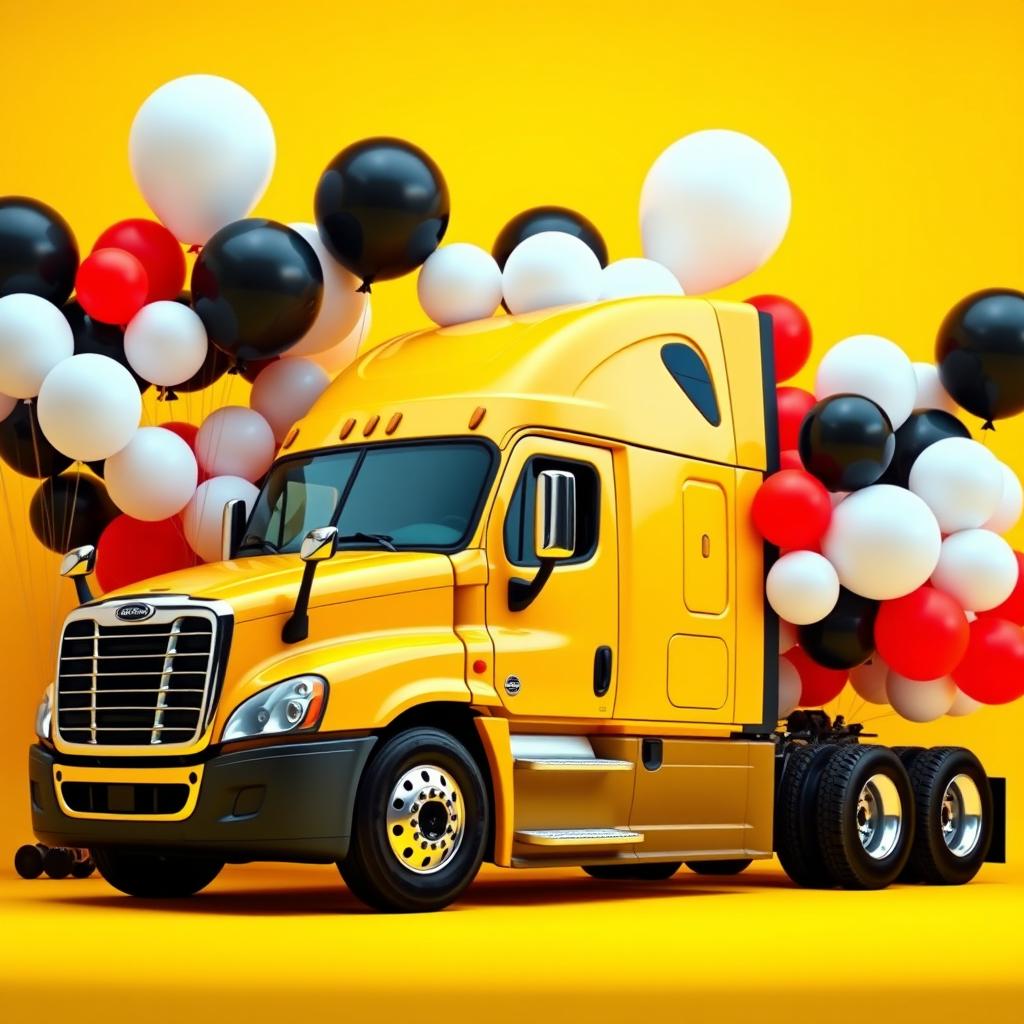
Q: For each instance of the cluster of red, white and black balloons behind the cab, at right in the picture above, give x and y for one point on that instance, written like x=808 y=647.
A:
x=893 y=572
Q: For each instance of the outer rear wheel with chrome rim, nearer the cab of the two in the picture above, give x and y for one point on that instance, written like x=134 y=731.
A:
x=869 y=859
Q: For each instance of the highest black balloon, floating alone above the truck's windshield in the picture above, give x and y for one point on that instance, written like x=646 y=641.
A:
x=382 y=208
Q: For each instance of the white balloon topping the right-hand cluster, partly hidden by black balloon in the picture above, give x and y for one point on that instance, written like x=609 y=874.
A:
x=874 y=367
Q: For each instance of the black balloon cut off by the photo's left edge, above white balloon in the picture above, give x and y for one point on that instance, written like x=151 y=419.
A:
x=38 y=251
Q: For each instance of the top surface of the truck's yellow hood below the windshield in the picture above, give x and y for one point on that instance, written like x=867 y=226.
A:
x=268 y=585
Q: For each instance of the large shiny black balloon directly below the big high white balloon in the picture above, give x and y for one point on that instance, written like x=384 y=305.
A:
x=258 y=286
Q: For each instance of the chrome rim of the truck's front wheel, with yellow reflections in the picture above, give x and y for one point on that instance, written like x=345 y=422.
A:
x=425 y=821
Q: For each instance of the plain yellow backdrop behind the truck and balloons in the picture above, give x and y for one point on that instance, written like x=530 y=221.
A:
x=899 y=124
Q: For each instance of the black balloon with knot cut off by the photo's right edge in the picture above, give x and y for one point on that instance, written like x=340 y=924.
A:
x=980 y=353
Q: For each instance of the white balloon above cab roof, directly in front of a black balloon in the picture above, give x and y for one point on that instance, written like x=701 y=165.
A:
x=550 y=269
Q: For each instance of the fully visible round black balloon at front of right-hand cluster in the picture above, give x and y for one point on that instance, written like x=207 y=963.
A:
x=847 y=442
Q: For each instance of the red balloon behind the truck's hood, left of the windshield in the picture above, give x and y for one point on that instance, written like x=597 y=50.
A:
x=131 y=550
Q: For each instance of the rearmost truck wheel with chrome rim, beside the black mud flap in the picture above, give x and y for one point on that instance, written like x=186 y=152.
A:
x=932 y=860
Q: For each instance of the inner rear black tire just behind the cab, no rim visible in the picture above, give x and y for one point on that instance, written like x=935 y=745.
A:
x=797 y=817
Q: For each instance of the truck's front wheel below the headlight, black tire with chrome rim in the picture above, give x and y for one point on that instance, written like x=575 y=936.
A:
x=404 y=879
